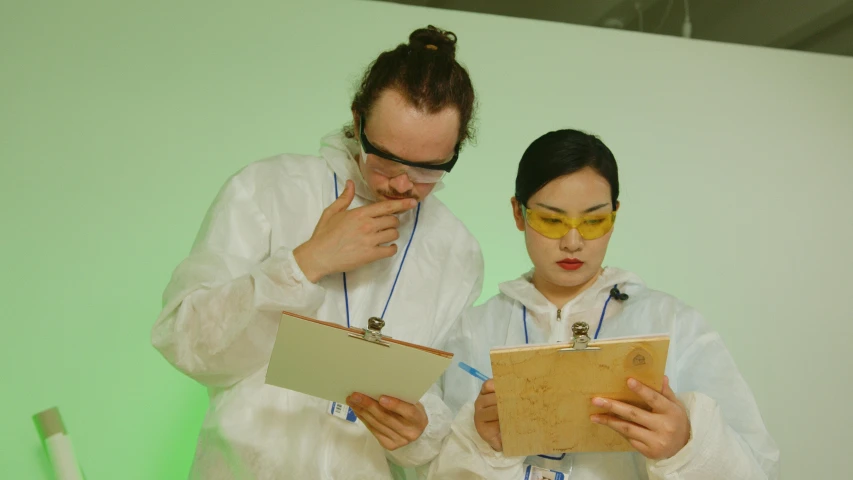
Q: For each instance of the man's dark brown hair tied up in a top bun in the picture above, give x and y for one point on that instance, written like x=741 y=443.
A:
x=426 y=73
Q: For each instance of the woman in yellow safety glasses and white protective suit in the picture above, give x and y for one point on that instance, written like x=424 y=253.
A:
x=703 y=424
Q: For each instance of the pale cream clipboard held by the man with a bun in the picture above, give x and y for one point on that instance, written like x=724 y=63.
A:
x=331 y=362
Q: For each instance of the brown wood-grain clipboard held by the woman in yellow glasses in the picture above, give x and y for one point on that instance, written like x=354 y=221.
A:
x=545 y=392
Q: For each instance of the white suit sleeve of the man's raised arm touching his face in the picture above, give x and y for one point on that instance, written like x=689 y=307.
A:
x=224 y=301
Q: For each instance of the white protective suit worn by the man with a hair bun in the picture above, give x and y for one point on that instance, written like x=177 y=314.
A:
x=222 y=308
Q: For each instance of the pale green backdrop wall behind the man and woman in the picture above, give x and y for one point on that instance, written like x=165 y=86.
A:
x=120 y=121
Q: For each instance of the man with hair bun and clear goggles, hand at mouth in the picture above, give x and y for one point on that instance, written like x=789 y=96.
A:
x=347 y=235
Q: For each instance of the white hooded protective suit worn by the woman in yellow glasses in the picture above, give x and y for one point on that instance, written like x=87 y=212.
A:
x=728 y=439
